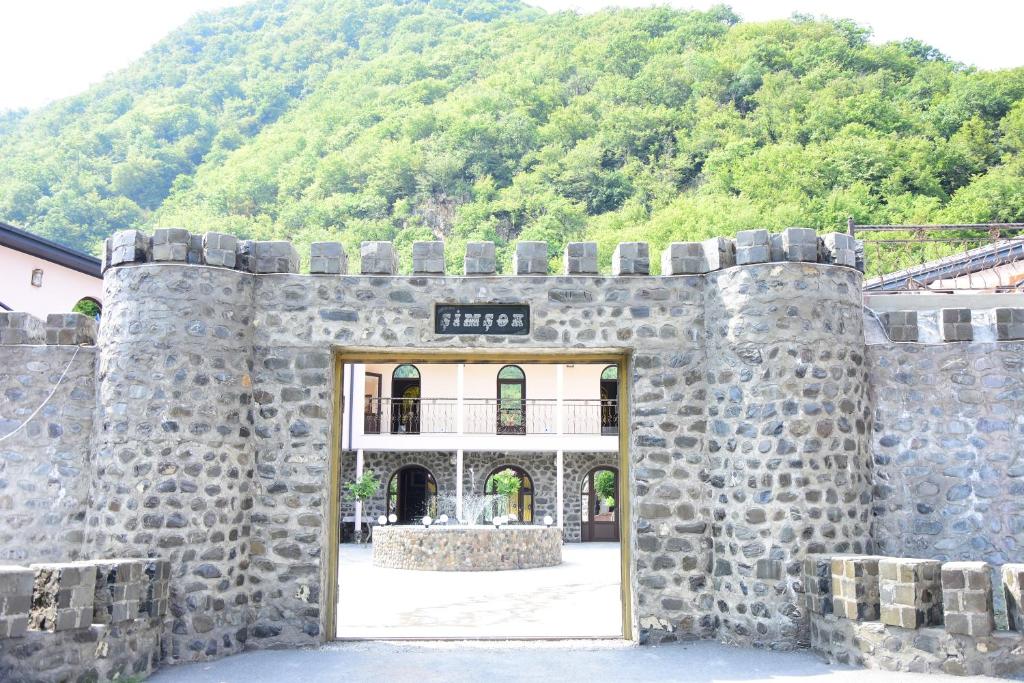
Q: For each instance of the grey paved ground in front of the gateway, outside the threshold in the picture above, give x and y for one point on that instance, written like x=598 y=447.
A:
x=593 y=662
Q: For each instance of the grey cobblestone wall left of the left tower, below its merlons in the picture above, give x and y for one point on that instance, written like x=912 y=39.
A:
x=46 y=468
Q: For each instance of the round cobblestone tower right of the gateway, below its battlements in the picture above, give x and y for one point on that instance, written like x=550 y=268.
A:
x=788 y=438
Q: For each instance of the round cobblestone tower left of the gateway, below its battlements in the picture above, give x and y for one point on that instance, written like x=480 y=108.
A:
x=174 y=461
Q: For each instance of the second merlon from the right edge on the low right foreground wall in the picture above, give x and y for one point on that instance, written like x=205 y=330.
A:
x=967 y=599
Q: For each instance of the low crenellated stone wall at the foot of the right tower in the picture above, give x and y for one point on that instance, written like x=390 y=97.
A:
x=912 y=615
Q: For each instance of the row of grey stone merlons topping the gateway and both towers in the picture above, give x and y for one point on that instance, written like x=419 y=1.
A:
x=176 y=245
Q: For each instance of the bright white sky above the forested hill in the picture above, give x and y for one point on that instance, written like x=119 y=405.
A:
x=56 y=49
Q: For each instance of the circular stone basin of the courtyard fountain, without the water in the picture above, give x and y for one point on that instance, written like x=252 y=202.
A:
x=443 y=548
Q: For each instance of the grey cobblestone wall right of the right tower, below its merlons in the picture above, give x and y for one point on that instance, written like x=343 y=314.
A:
x=949 y=449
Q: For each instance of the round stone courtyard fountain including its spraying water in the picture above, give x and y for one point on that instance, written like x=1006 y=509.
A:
x=485 y=543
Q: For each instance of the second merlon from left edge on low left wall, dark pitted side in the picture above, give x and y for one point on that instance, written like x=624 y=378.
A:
x=63 y=596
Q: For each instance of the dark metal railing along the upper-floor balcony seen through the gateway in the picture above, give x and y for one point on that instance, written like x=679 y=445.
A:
x=490 y=416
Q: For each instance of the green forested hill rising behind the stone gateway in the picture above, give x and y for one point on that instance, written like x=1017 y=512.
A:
x=407 y=120
